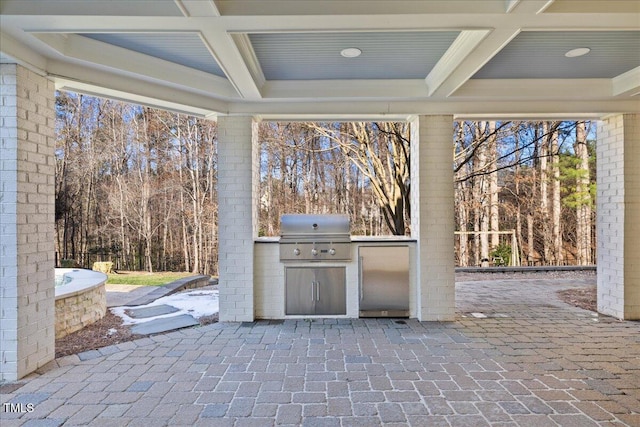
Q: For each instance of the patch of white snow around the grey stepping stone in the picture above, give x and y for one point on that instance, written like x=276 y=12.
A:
x=197 y=303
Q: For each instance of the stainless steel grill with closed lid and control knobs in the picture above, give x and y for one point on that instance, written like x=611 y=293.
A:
x=314 y=238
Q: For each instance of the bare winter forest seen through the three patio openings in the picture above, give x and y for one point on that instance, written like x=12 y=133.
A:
x=137 y=186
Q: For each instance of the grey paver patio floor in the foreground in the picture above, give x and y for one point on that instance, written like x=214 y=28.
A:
x=515 y=356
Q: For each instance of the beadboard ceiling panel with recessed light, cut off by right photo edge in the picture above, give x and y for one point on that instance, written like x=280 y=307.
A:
x=541 y=55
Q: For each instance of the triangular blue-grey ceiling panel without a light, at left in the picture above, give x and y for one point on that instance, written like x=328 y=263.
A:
x=181 y=48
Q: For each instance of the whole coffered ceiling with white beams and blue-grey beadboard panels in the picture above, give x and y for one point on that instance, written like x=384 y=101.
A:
x=283 y=58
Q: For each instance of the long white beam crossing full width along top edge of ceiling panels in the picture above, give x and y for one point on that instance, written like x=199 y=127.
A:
x=249 y=24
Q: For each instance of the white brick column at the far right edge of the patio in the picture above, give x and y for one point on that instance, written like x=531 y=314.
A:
x=618 y=216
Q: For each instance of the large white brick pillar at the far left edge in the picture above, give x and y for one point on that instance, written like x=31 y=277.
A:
x=27 y=203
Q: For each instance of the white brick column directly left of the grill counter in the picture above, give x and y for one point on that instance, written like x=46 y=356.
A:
x=238 y=168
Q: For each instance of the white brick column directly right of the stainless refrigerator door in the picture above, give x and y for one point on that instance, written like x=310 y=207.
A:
x=432 y=216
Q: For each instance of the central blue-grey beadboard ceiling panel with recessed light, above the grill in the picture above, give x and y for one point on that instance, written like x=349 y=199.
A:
x=316 y=56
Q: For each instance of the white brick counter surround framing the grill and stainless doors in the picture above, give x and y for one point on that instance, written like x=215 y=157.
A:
x=269 y=274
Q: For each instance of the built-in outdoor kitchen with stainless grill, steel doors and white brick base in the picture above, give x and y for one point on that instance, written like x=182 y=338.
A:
x=316 y=269
